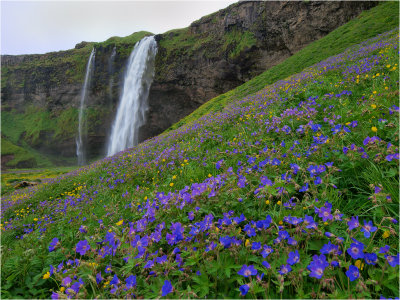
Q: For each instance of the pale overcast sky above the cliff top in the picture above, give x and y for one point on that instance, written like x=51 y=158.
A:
x=34 y=27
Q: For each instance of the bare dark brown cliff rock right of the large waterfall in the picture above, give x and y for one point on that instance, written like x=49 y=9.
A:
x=280 y=29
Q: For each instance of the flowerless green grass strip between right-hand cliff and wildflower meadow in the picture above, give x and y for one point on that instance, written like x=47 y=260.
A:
x=379 y=19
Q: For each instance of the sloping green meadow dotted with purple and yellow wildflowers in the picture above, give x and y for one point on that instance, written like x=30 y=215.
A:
x=288 y=193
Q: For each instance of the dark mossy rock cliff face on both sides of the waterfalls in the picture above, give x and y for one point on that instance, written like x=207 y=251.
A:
x=210 y=57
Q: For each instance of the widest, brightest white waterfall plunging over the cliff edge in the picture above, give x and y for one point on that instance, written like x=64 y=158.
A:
x=133 y=105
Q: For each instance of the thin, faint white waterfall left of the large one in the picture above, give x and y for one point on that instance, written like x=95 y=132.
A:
x=82 y=128
